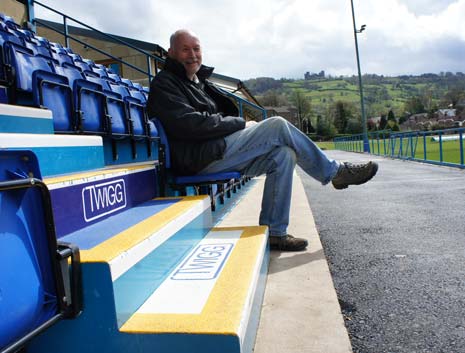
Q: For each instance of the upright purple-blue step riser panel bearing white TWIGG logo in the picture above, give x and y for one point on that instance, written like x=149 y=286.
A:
x=79 y=206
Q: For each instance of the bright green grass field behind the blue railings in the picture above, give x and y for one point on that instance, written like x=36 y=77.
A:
x=450 y=149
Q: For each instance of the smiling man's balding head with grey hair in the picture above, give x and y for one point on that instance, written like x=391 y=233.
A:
x=185 y=49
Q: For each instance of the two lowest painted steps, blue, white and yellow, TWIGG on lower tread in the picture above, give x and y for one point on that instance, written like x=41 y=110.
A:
x=166 y=283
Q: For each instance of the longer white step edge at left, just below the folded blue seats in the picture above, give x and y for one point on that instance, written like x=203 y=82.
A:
x=48 y=140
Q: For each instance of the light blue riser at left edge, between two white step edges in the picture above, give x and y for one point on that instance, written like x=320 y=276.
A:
x=20 y=124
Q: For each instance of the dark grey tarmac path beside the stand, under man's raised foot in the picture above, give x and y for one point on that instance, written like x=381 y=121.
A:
x=396 y=250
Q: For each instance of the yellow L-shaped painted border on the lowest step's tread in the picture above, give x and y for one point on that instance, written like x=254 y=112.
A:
x=224 y=308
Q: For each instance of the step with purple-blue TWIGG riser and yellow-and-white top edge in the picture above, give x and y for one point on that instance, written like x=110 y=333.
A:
x=82 y=199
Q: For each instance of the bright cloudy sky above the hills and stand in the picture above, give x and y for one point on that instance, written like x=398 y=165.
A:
x=286 y=38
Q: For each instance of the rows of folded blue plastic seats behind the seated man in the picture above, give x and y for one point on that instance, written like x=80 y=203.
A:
x=83 y=96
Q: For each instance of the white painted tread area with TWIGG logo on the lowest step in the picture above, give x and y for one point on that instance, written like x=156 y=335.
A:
x=188 y=287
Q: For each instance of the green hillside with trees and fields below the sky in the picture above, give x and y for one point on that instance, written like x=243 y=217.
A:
x=381 y=93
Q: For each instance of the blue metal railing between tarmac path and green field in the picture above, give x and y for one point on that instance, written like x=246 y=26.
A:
x=442 y=147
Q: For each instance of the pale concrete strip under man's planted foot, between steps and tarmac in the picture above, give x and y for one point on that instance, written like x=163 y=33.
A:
x=300 y=313
